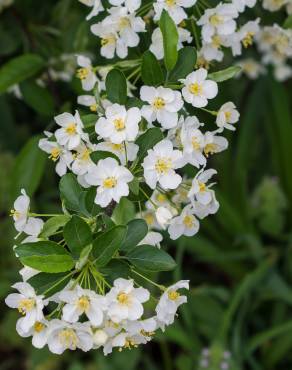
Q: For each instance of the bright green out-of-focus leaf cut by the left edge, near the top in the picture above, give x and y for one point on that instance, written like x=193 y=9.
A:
x=19 y=69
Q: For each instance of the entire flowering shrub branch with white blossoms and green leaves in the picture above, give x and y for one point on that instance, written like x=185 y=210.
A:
x=133 y=170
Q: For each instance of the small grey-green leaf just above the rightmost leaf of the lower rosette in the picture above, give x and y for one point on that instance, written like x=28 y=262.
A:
x=137 y=230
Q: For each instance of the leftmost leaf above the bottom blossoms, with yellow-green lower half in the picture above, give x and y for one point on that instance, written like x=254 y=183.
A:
x=45 y=256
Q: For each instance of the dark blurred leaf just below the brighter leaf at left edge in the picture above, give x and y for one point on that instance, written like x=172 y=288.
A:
x=38 y=98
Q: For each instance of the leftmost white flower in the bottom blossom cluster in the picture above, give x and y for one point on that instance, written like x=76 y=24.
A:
x=28 y=304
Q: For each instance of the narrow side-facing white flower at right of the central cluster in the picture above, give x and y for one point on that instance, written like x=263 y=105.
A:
x=193 y=142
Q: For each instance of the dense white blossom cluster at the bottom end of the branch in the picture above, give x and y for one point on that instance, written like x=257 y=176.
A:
x=88 y=320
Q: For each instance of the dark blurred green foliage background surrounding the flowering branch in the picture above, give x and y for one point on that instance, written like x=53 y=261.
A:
x=240 y=264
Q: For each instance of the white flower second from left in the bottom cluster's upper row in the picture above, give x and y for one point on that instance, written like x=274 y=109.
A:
x=82 y=301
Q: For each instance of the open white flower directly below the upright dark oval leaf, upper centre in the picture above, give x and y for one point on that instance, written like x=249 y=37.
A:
x=119 y=124
